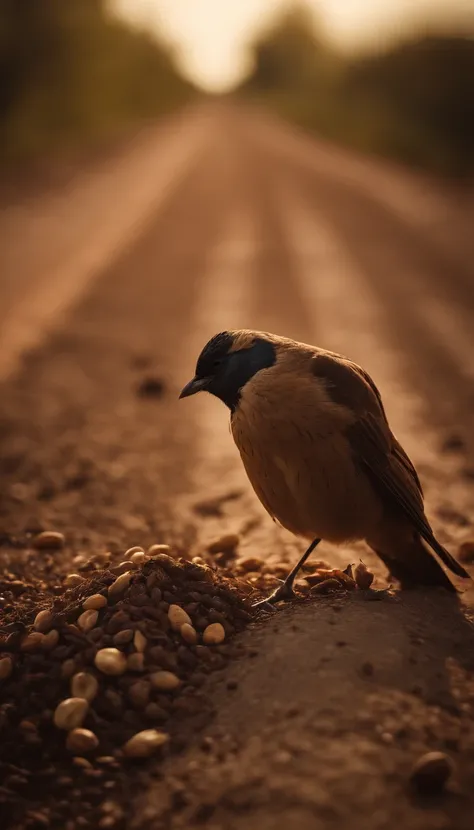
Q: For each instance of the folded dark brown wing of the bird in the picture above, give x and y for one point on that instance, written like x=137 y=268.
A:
x=372 y=443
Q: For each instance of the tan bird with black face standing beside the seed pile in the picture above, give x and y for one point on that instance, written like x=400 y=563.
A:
x=315 y=442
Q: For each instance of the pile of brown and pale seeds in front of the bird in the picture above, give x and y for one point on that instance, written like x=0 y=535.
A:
x=109 y=672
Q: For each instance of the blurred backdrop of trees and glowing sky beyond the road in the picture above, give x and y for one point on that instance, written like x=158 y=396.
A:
x=394 y=78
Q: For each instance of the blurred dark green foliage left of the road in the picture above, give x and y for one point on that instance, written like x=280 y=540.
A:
x=71 y=72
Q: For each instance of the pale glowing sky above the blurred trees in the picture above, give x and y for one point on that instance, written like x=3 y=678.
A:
x=211 y=36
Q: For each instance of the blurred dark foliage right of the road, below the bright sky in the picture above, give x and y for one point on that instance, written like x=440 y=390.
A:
x=413 y=101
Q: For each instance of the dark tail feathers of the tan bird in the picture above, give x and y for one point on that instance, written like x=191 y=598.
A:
x=418 y=567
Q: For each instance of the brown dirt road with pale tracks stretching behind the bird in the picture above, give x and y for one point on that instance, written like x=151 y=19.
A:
x=223 y=219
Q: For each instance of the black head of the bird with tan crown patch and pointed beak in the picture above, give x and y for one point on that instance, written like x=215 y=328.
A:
x=227 y=362
